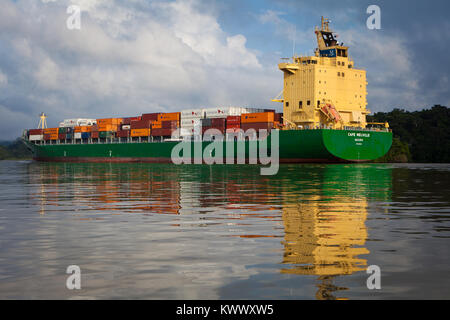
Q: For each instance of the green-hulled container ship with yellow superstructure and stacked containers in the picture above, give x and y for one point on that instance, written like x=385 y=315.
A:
x=323 y=120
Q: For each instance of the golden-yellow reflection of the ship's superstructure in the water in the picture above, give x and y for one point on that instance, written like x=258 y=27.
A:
x=325 y=239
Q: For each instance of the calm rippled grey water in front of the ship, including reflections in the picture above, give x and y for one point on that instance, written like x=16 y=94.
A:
x=224 y=232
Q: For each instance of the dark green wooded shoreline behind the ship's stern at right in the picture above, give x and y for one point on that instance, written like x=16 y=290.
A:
x=425 y=132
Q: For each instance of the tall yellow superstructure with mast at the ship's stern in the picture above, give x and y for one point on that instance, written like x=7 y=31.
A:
x=324 y=90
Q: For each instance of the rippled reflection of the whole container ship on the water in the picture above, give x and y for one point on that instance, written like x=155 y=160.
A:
x=316 y=213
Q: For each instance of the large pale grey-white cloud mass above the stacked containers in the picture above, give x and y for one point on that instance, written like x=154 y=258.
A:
x=127 y=58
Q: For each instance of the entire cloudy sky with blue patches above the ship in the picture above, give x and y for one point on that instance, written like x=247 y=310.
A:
x=140 y=56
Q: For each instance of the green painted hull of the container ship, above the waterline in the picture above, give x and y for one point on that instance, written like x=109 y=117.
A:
x=321 y=145
